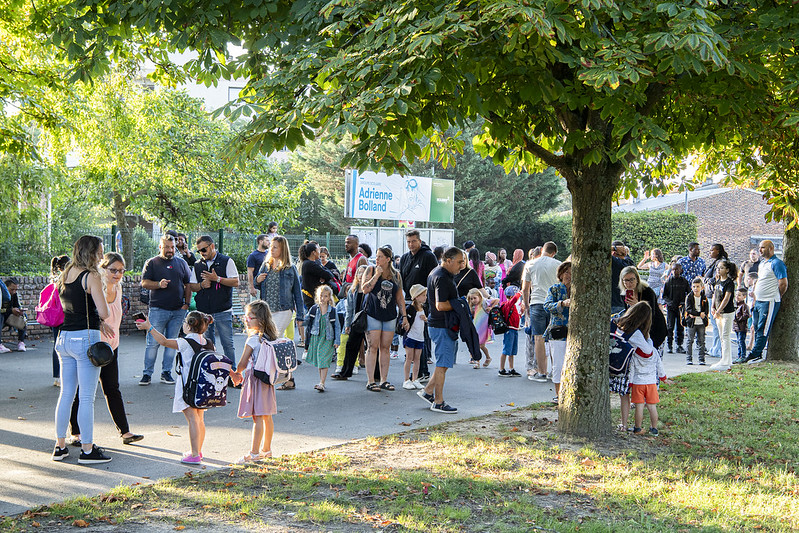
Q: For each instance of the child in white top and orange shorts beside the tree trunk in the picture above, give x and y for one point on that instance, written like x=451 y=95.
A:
x=646 y=366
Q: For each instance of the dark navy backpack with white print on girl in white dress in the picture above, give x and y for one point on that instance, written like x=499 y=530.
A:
x=206 y=382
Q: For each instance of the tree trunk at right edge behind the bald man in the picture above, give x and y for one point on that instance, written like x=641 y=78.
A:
x=783 y=343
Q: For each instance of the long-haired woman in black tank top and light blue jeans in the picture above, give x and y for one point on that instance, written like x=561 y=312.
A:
x=85 y=310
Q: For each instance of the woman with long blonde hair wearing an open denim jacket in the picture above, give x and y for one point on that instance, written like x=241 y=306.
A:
x=278 y=283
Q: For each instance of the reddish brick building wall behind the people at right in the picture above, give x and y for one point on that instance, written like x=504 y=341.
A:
x=731 y=218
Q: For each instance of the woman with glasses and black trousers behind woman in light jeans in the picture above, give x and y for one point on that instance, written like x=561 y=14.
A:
x=113 y=267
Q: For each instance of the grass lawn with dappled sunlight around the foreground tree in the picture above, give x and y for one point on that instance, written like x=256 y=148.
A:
x=725 y=460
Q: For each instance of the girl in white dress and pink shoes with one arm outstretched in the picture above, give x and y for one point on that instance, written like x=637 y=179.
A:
x=193 y=343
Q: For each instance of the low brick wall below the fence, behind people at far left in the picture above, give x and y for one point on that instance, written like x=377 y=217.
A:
x=30 y=287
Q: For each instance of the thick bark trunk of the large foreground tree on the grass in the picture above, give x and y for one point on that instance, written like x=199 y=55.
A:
x=584 y=393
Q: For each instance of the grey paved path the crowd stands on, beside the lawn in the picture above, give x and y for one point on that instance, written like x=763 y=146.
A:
x=307 y=420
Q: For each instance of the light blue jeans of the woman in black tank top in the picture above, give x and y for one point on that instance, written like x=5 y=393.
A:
x=76 y=371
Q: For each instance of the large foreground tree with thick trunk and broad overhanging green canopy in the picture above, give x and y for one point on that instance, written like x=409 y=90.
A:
x=588 y=87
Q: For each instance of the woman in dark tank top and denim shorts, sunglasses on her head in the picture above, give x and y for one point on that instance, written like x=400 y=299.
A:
x=382 y=286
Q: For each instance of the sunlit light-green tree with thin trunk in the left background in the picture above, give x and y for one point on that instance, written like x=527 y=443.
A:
x=157 y=154
